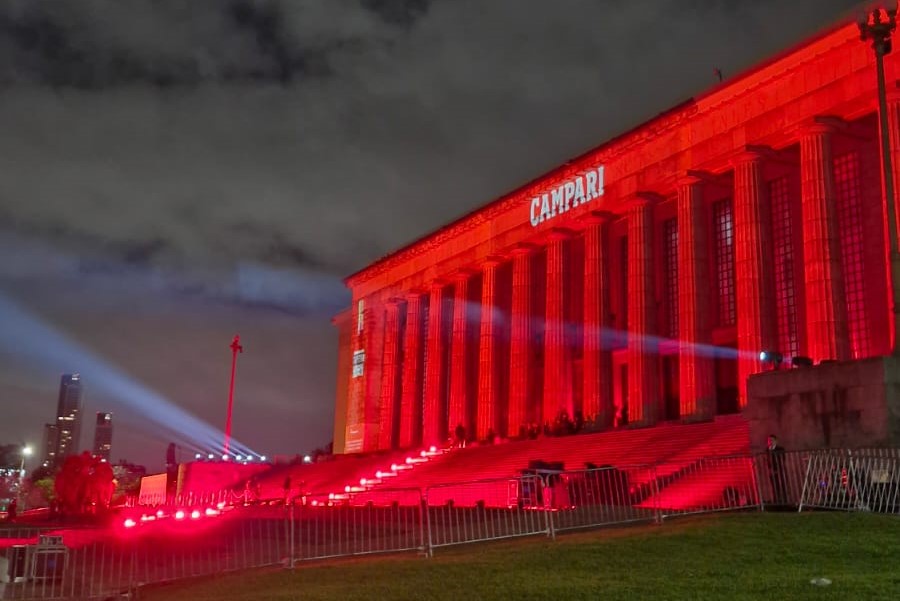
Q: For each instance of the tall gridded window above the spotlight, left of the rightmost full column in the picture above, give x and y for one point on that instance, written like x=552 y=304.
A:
x=783 y=242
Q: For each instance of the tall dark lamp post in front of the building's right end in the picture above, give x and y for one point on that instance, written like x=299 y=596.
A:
x=877 y=27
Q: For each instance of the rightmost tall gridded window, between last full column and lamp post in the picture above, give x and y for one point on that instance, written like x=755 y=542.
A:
x=849 y=209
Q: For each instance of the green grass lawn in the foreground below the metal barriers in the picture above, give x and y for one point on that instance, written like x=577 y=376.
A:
x=747 y=556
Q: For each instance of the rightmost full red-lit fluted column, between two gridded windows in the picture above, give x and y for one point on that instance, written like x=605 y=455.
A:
x=826 y=308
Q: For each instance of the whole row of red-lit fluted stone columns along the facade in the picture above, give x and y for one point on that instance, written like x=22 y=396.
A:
x=826 y=319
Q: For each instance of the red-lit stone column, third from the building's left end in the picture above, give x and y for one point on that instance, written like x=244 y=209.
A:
x=433 y=412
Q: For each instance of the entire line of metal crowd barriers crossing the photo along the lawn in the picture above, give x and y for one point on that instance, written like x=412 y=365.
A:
x=163 y=545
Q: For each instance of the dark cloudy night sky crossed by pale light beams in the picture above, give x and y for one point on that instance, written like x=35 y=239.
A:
x=175 y=171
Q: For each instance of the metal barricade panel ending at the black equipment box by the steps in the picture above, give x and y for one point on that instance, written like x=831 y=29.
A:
x=485 y=510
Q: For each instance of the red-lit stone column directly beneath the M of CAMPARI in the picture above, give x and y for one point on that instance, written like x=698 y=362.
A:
x=556 y=355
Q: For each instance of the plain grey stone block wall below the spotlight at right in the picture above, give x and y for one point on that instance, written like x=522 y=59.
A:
x=850 y=404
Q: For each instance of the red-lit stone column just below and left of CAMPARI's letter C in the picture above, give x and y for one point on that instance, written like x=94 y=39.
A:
x=521 y=363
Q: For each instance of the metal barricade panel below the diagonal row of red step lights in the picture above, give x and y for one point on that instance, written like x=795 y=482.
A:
x=338 y=525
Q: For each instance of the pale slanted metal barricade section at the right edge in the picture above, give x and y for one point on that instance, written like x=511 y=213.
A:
x=863 y=480
